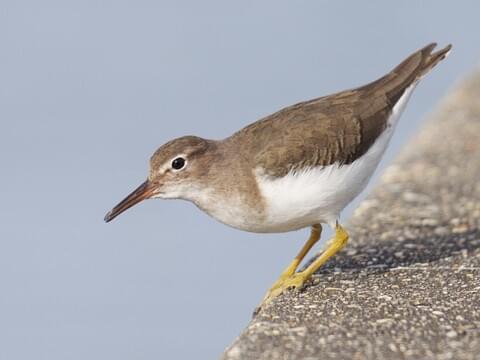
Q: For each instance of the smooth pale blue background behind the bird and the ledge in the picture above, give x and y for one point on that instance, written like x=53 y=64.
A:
x=90 y=89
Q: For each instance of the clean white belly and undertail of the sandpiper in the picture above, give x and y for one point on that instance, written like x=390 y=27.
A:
x=318 y=195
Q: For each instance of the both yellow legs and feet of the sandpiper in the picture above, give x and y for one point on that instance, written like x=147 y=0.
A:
x=291 y=280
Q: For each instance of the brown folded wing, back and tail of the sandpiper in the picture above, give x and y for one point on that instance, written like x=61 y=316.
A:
x=333 y=129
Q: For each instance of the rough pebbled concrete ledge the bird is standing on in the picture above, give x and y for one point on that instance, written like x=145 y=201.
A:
x=407 y=286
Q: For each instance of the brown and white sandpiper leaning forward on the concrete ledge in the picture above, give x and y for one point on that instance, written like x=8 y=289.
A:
x=296 y=168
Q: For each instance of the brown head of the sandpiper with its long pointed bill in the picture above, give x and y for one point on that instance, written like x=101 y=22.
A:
x=177 y=169
